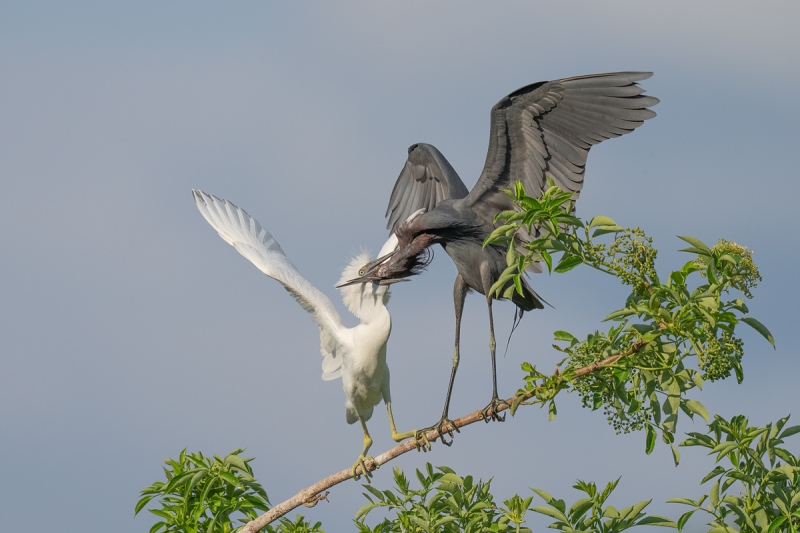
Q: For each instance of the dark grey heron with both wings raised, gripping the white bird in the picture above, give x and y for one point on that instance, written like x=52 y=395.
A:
x=542 y=130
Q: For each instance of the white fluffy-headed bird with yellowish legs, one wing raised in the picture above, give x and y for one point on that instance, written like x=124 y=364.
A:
x=358 y=354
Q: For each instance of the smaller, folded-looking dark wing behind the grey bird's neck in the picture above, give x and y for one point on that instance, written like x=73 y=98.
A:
x=426 y=179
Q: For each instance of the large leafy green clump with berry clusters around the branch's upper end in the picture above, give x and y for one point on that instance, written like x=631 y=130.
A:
x=668 y=338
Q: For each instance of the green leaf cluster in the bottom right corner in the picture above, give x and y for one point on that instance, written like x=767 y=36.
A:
x=750 y=460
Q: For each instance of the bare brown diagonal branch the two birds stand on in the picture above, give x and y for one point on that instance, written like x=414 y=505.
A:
x=310 y=496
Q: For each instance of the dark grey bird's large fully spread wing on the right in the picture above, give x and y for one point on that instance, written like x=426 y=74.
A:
x=547 y=129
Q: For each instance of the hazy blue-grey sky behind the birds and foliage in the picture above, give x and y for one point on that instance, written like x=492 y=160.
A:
x=131 y=331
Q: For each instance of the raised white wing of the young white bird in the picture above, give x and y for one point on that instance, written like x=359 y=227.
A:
x=250 y=239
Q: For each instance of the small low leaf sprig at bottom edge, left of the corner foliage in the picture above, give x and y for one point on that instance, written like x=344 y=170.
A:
x=590 y=514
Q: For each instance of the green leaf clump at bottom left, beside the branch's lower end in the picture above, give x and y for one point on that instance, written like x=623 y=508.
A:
x=201 y=494
